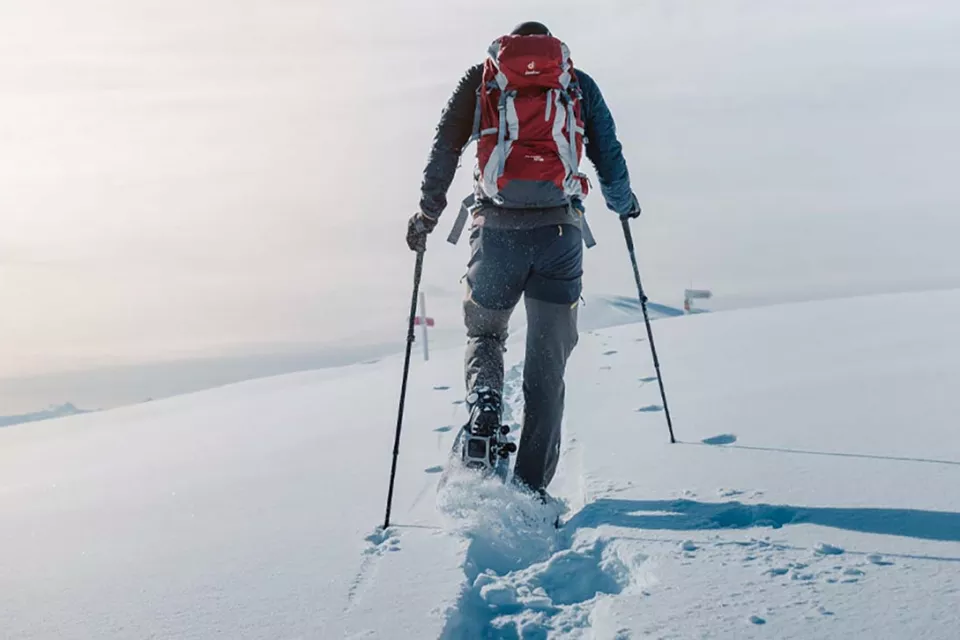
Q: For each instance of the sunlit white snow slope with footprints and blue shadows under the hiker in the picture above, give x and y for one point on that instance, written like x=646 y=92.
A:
x=813 y=494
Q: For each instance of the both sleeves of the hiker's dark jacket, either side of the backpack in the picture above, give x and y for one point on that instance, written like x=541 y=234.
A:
x=456 y=126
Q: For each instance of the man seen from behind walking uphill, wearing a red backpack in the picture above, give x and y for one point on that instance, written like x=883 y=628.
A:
x=533 y=116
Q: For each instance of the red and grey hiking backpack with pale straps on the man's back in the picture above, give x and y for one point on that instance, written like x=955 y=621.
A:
x=528 y=126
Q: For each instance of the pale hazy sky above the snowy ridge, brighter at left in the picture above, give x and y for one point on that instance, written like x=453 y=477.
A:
x=182 y=177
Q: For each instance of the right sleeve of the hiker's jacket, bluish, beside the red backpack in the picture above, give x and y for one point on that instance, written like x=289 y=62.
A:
x=604 y=150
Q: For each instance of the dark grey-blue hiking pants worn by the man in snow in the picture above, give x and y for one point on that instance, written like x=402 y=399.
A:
x=544 y=266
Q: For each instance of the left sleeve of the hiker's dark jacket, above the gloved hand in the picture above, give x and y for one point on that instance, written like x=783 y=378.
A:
x=453 y=133
